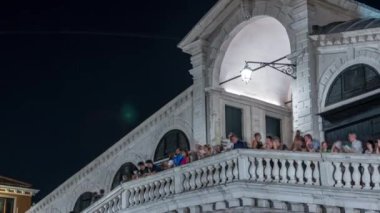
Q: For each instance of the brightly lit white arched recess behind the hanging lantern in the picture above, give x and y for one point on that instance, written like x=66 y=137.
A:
x=263 y=39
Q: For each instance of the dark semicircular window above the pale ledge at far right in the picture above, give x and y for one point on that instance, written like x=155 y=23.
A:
x=353 y=81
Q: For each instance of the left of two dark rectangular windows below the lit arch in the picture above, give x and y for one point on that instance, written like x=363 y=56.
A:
x=233 y=121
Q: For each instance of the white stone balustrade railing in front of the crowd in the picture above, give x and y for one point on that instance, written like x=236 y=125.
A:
x=360 y=173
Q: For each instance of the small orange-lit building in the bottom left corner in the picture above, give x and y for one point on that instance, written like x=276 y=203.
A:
x=15 y=196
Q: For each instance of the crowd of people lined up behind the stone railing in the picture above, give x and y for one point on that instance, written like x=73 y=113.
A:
x=301 y=143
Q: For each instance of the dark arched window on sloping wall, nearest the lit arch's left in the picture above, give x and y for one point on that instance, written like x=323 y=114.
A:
x=169 y=143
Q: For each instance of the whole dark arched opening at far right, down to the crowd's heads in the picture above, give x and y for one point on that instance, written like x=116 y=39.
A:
x=361 y=116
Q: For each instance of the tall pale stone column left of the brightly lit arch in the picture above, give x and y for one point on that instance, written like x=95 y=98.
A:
x=197 y=50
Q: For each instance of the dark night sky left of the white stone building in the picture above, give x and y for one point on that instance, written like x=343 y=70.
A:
x=67 y=97
